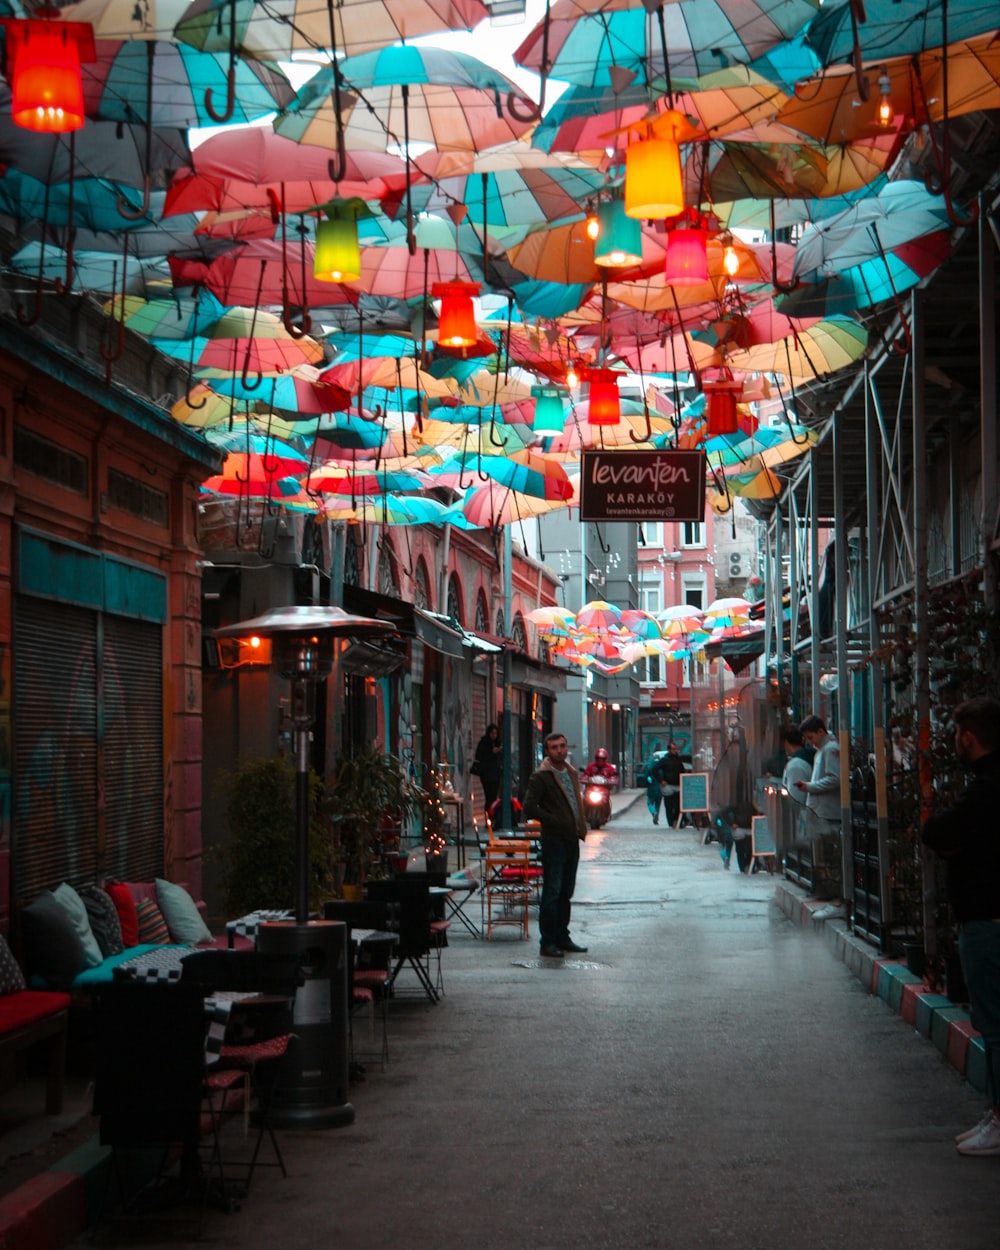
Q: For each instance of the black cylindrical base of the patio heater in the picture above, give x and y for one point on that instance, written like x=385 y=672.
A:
x=312 y=1086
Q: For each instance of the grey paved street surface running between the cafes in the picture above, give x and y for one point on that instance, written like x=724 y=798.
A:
x=708 y=1076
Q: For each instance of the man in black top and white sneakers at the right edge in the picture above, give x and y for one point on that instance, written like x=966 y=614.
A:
x=967 y=838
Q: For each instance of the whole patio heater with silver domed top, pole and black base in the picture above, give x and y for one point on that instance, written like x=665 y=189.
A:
x=312 y=1087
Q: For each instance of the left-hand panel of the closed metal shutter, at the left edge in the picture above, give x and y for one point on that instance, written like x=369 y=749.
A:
x=56 y=746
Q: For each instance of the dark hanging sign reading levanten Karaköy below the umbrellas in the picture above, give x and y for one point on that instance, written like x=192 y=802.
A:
x=624 y=486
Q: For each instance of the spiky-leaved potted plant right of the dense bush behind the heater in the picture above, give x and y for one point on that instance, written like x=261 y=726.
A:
x=367 y=789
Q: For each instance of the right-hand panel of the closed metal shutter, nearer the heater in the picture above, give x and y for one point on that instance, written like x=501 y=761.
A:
x=133 y=768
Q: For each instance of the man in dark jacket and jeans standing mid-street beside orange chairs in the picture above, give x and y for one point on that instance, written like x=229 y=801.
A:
x=554 y=799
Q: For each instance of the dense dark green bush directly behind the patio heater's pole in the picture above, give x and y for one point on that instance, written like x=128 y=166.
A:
x=259 y=859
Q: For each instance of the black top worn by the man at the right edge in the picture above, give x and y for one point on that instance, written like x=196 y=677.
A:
x=967 y=836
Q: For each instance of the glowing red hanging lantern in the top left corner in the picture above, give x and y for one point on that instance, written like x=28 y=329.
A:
x=43 y=61
